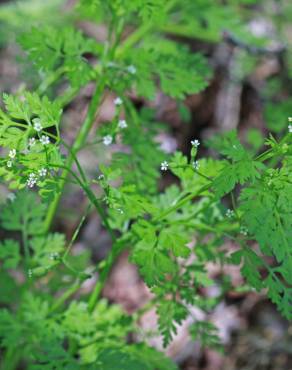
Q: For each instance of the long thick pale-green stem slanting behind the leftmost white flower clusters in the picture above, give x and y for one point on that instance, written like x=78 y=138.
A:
x=79 y=141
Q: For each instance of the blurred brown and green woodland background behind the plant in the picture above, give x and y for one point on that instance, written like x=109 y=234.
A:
x=248 y=45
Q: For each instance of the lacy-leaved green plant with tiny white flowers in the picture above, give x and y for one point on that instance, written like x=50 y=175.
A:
x=171 y=235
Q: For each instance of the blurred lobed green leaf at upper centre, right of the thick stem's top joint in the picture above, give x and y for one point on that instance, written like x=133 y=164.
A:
x=178 y=71
